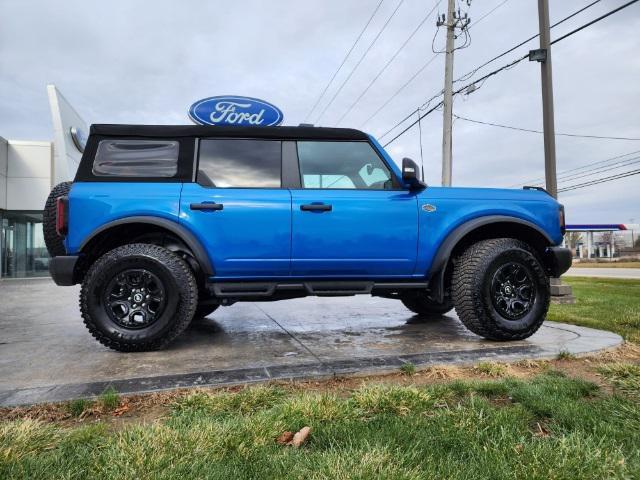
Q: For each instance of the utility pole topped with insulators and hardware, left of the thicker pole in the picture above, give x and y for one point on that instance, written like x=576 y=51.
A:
x=452 y=21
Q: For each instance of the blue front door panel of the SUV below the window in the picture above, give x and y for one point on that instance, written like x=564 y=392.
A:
x=368 y=233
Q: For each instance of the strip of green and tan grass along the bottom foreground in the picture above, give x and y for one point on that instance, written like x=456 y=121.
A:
x=546 y=427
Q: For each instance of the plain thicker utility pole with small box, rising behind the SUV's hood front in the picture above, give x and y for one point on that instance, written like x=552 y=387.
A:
x=547 y=100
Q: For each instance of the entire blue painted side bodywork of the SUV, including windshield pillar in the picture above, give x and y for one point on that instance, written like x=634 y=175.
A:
x=264 y=234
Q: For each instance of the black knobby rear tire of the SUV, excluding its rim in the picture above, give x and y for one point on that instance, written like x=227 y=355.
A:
x=180 y=289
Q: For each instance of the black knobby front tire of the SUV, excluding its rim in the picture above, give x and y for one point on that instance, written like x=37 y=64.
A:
x=473 y=275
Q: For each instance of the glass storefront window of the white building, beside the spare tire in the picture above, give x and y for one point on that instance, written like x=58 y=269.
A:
x=22 y=249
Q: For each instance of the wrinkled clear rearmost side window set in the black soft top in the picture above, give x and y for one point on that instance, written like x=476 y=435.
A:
x=136 y=158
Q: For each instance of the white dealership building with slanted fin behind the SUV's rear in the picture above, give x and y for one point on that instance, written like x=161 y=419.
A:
x=28 y=171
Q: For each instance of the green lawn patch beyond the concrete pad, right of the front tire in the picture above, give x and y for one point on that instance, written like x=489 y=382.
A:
x=609 y=304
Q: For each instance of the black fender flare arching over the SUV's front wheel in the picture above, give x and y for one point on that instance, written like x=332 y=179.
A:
x=441 y=259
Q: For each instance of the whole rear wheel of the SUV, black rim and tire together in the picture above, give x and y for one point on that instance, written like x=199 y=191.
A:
x=138 y=297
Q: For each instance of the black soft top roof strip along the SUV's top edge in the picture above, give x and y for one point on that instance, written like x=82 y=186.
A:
x=287 y=133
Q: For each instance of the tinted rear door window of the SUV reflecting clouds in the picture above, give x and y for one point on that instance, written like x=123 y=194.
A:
x=239 y=163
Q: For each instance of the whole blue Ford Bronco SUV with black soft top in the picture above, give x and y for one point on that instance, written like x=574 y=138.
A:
x=166 y=223
